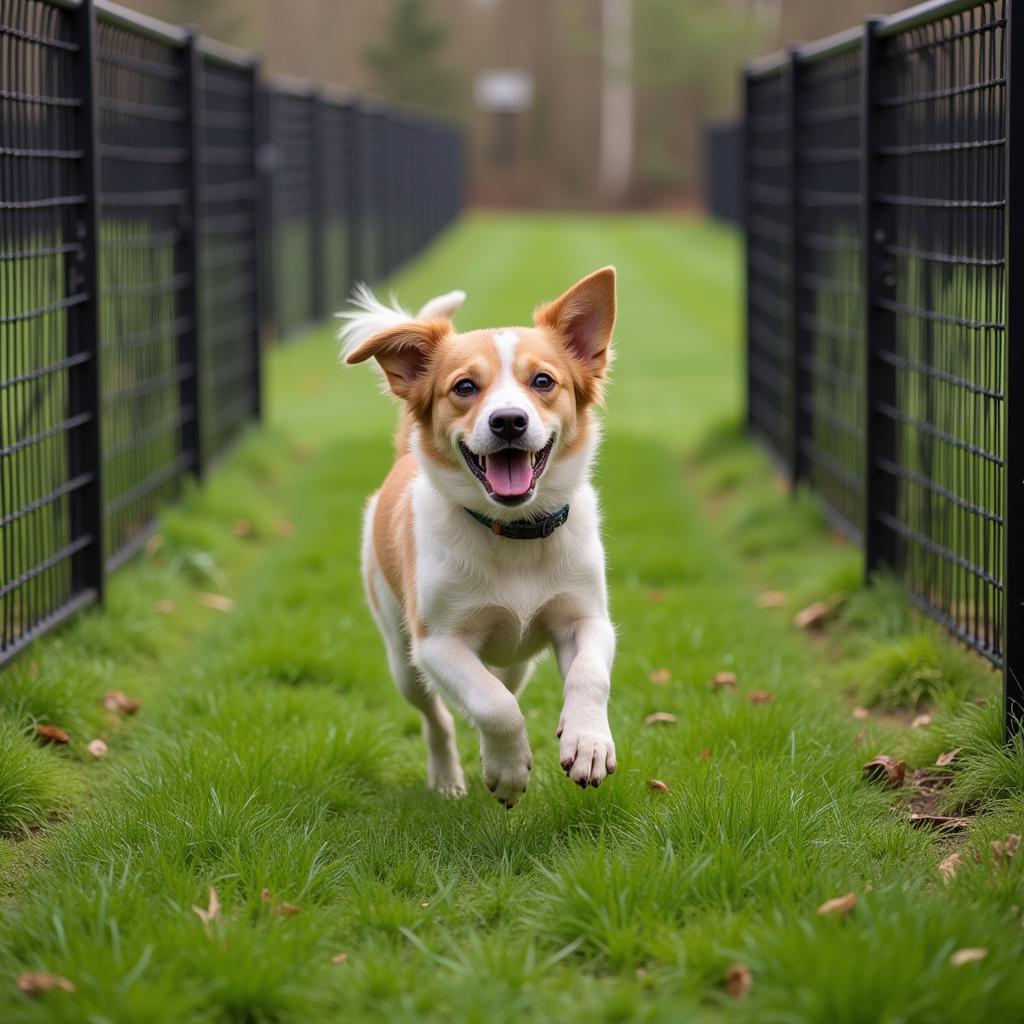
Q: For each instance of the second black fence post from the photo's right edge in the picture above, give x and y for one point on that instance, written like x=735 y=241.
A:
x=880 y=376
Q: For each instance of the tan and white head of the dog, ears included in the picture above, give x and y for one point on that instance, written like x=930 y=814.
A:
x=503 y=415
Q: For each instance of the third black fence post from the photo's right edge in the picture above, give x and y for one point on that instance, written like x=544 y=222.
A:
x=800 y=415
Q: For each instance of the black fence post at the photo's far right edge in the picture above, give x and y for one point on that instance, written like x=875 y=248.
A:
x=1013 y=626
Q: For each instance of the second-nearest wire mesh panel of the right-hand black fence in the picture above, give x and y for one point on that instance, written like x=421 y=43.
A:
x=830 y=294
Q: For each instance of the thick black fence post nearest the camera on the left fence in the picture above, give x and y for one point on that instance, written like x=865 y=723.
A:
x=82 y=271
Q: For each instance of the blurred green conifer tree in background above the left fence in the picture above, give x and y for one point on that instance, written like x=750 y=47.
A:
x=407 y=64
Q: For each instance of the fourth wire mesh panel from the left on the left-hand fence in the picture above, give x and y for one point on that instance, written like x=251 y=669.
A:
x=293 y=129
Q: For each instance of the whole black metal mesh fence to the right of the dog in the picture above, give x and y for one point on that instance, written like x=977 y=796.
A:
x=879 y=194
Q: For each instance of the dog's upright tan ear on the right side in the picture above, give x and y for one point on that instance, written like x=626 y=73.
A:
x=584 y=319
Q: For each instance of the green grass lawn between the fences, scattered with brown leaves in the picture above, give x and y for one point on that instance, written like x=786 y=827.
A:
x=272 y=761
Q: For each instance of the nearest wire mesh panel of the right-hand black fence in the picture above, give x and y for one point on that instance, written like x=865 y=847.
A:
x=941 y=194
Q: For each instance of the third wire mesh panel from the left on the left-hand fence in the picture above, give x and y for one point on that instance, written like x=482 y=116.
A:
x=228 y=254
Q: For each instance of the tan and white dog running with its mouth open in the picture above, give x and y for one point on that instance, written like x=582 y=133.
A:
x=483 y=548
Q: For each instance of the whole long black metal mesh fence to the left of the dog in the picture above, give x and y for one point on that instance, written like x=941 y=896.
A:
x=138 y=164
